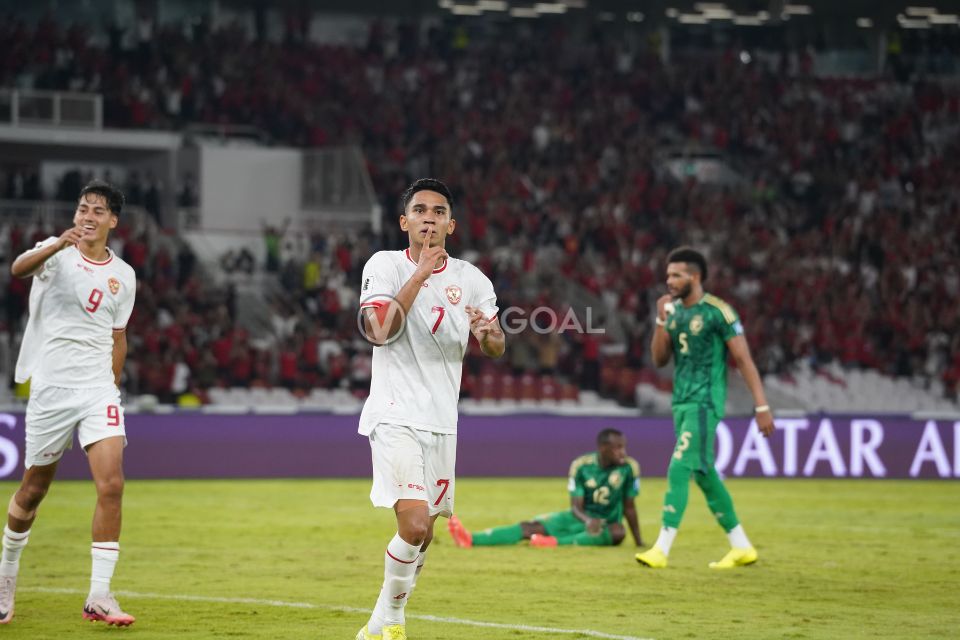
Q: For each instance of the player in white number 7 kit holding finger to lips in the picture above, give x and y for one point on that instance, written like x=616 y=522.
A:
x=420 y=306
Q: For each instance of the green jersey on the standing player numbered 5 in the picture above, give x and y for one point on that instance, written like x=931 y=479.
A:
x=699 y=337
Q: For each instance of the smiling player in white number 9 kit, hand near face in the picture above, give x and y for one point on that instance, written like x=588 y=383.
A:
x=73 y=352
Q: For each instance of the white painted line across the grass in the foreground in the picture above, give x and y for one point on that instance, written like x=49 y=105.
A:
x=329 y=607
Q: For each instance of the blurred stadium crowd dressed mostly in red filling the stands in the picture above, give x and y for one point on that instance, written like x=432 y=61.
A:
x=838 y=241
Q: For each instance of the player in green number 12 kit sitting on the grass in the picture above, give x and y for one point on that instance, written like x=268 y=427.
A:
x=602 y=487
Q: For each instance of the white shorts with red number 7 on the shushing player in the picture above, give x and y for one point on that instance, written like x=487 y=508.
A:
x=410 y=464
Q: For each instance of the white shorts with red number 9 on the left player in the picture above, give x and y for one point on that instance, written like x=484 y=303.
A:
x=54 y=412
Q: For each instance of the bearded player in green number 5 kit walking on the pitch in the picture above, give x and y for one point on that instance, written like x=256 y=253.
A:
x=699 y=330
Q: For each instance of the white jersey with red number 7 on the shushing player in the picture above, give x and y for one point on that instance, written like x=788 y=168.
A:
x=416 y=378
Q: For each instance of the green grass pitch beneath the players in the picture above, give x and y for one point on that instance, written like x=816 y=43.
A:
x=838 y=559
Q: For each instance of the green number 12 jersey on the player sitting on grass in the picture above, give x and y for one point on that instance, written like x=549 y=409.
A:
x=604 y=489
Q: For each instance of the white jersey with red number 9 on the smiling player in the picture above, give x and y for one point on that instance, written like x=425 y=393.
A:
x=75 y=305
